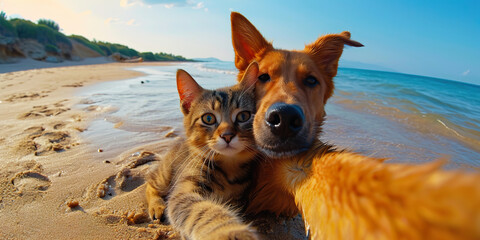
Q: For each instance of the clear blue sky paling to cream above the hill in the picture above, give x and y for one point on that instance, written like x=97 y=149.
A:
x=430 y=38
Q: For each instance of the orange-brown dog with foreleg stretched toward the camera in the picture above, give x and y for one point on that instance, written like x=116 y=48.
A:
x=340 y=194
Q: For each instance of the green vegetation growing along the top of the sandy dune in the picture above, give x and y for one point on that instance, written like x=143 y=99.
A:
x=47 y=33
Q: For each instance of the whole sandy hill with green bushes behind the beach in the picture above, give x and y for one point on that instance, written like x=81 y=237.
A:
x=43 y=41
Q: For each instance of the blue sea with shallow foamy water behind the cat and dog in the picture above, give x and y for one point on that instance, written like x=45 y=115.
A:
x=404 y=118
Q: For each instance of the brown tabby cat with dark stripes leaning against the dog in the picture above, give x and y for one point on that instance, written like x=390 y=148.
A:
x=204 y=178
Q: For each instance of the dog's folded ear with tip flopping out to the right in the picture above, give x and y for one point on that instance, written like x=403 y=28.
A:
x=326 y=51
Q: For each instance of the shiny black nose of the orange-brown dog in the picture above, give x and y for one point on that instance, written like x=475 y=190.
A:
x=284 y=120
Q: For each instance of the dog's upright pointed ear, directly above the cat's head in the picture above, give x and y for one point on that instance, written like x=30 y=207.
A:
x=247 y=41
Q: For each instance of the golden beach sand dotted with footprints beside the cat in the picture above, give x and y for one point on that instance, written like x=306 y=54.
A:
x=55 y=184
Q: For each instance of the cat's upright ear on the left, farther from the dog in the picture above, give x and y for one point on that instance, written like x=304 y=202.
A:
x=188 y=89
